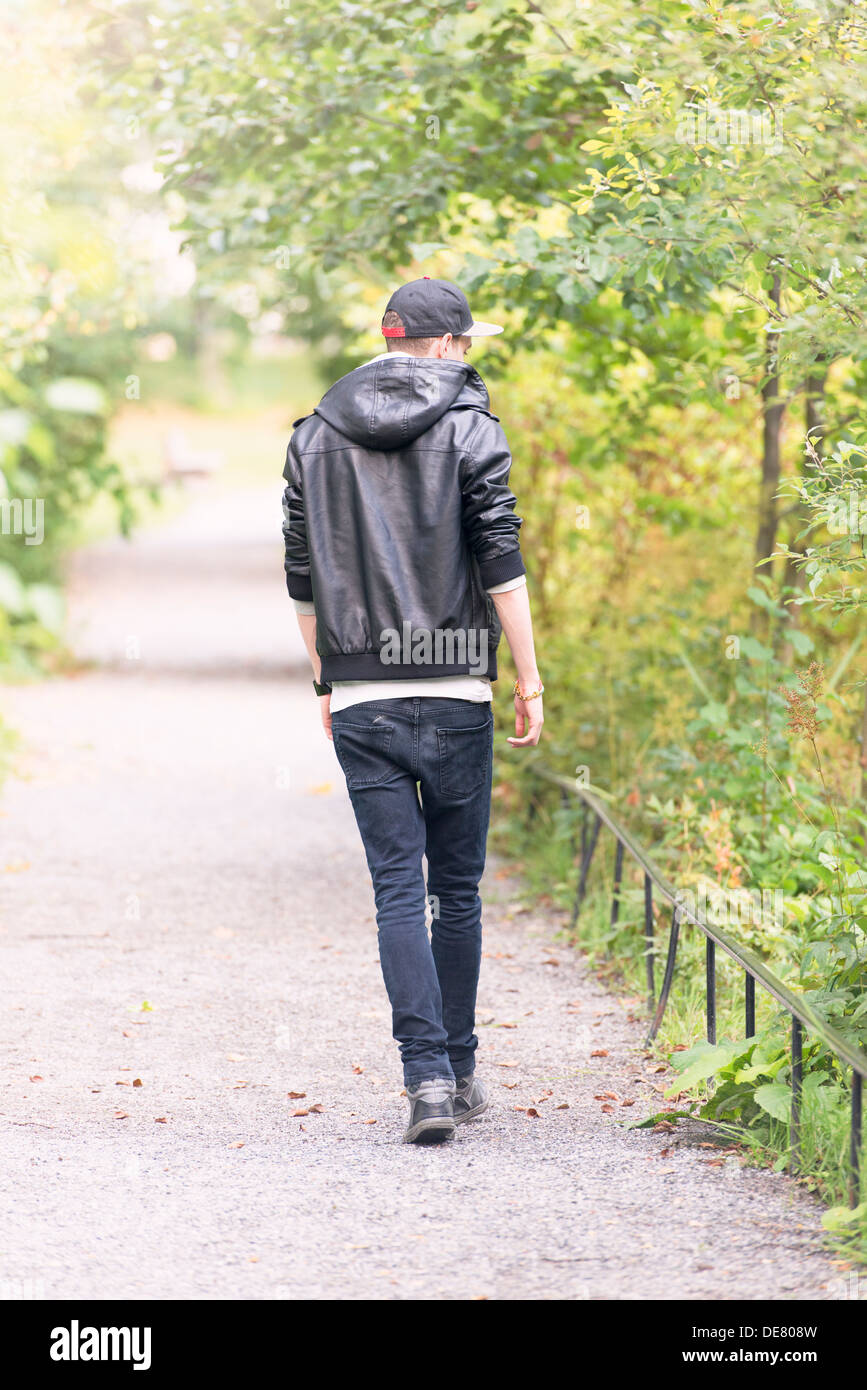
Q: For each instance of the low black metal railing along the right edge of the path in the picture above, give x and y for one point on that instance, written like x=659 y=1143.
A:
x=804 y=1017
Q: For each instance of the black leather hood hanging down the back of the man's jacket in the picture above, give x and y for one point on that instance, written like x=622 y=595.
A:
x=388 y=404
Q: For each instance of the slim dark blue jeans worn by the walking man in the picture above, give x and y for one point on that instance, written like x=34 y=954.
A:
x=419 y=779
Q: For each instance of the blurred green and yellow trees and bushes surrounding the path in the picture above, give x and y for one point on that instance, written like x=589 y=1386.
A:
x=205 y=209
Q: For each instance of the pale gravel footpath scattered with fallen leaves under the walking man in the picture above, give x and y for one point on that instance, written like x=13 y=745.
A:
x=187 y=906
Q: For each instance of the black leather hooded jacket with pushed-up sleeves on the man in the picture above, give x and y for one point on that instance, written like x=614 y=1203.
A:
x=398 y=518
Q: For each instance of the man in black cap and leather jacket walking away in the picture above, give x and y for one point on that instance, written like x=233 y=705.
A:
x=404 y=562
